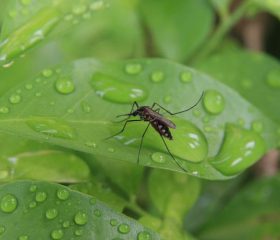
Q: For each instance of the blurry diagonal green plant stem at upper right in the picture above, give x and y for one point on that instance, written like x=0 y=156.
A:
x=221 y=31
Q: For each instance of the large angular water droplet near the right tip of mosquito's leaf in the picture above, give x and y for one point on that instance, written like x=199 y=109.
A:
x=240 y=149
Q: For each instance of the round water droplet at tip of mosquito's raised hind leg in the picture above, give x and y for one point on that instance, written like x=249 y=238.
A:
x=213 y=102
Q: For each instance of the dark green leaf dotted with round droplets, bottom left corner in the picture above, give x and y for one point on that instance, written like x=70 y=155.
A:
x=43 y=211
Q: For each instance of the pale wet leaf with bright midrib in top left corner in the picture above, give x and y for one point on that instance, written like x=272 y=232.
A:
x=28 y=23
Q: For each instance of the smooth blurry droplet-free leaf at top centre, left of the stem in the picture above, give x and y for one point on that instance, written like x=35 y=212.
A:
x=178 y=27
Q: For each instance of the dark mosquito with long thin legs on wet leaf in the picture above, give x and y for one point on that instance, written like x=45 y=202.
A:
x=155 y=119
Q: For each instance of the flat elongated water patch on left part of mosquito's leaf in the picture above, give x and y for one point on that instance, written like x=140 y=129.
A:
x=52 y=127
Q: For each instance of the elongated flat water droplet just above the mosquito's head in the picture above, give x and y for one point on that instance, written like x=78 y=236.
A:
x=115 y=90
